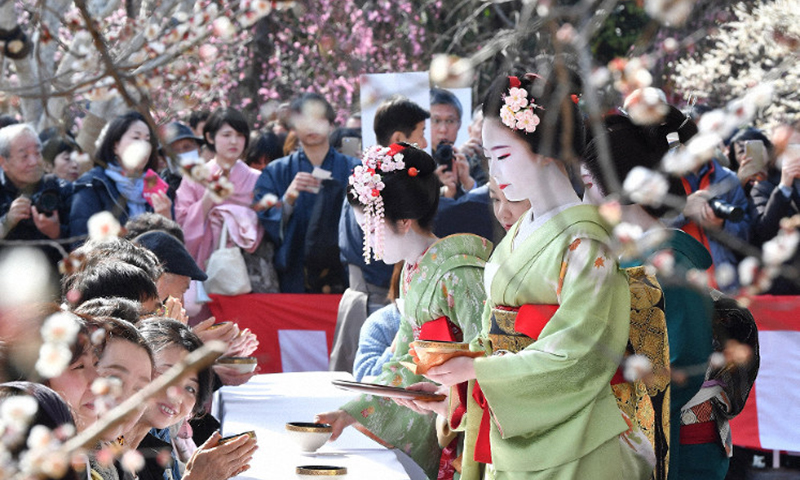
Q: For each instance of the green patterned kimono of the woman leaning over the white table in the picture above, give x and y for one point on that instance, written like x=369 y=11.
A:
x=447 y=281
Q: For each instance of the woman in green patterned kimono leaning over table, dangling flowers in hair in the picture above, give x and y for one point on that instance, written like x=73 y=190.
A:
x=396 y=194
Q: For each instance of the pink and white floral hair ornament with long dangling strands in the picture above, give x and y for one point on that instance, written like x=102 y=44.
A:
x=367 y=183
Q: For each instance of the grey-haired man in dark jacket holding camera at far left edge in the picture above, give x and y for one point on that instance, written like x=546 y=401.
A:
x=32 y=204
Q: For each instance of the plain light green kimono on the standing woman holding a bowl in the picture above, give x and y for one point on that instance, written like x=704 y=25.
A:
x=551 y=404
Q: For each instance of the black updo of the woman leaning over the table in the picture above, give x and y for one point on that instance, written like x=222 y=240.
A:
x=409 y=197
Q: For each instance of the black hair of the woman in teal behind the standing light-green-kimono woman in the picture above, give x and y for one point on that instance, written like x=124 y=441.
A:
x=633 y=145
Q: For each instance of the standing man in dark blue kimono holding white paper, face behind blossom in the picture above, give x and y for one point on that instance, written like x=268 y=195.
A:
x=297 y=181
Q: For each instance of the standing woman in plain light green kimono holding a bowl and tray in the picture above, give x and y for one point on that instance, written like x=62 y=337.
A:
x=540 y=404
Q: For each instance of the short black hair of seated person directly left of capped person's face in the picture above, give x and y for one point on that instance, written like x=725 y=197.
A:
x=113 y=278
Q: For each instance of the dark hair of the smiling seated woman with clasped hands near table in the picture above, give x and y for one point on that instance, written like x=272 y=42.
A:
x=161 y=333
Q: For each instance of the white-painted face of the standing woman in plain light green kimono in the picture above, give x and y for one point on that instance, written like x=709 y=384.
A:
x=511 y=163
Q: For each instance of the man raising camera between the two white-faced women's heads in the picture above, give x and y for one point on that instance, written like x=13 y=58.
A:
x=457 y=173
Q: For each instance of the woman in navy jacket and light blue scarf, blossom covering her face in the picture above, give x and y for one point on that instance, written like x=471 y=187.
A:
x=126 y=151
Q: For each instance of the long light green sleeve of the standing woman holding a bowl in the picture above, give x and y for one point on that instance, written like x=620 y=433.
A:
x=557 y=389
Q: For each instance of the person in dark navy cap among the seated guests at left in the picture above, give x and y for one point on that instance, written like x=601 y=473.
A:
x=179 y=267
